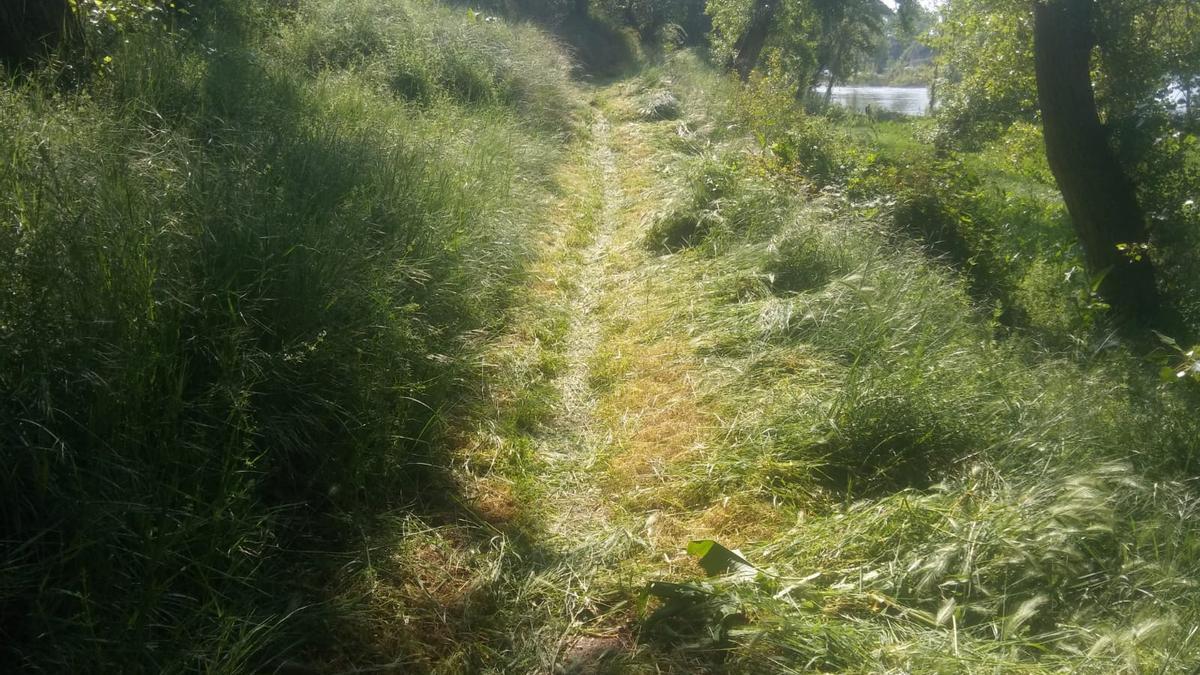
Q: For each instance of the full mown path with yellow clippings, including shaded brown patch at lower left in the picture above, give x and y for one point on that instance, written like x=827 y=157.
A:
x=578 y=462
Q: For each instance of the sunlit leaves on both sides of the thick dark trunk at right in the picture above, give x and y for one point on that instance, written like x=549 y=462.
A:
x=1143 y=52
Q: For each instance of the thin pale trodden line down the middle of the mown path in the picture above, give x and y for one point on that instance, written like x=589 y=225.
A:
x=580 y=519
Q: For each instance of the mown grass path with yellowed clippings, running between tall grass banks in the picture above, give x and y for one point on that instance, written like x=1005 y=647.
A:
x=598 y=397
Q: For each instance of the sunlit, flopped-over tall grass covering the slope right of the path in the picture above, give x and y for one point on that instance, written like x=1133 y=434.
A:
x=967 y=498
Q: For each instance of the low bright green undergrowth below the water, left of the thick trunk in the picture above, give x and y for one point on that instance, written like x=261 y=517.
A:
x=994 y=216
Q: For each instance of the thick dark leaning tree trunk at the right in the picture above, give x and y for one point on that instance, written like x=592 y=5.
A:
x=1100 y=196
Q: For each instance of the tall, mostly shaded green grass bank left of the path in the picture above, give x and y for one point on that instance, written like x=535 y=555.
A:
x=245 y=271
